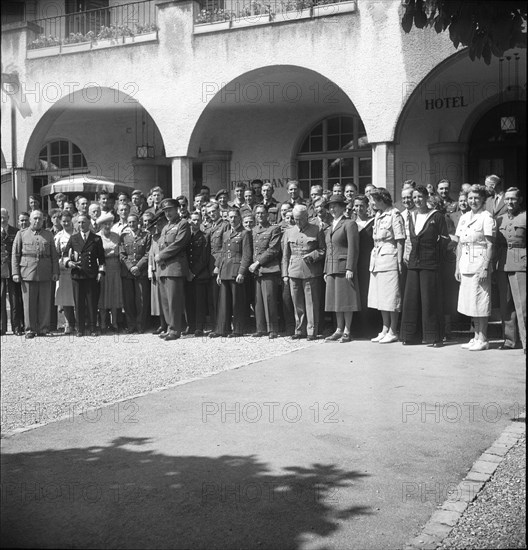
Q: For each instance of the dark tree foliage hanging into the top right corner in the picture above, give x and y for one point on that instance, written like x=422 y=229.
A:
x=488 y=28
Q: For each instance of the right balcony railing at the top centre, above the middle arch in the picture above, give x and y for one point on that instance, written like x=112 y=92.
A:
x=237 y=13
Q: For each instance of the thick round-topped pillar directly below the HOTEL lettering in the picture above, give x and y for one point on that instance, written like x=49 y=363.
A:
x=448 y=161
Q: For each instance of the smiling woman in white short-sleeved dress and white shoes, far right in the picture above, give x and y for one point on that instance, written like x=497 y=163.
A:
x=476 y=233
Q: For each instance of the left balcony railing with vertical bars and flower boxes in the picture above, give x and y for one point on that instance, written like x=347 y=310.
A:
x=116 y=23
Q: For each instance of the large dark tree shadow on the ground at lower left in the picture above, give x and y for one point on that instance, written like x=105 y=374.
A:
x=123 y=496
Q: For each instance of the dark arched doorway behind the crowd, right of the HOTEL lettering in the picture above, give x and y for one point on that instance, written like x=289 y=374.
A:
x=497 y=144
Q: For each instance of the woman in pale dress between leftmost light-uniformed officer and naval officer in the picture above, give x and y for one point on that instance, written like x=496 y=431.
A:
x=64 y=291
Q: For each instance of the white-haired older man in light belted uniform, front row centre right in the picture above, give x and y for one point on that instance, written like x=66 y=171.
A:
x=303 y=251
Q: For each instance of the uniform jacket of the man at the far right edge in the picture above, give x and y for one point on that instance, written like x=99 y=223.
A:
x=511 y=242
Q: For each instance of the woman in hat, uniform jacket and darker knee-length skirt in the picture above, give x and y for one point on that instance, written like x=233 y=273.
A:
x=342 y=250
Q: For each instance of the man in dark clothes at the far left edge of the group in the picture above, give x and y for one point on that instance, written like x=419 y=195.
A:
x=8 y=285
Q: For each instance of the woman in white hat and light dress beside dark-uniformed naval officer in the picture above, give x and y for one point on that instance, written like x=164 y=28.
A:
x=111 y=293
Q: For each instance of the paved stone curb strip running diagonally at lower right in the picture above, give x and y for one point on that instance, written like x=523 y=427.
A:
x=444 y=519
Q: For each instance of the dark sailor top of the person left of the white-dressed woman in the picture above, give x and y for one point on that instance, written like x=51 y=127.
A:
x=429 y=246
